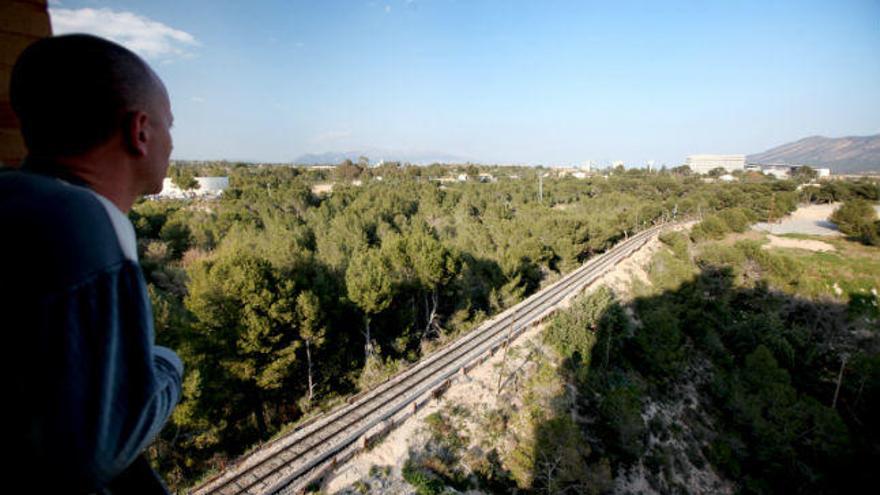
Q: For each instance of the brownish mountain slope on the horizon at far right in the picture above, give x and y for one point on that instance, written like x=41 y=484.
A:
x=842 y=155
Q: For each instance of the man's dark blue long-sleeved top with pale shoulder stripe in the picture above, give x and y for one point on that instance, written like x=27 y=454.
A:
x=86 y=389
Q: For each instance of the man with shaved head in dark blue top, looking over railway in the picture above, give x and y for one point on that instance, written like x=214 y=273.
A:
x=86 y=387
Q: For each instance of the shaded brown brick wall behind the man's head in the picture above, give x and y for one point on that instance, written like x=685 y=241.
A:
x=21 y=23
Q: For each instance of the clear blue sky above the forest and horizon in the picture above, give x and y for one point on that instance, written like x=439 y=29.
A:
x=537 y=82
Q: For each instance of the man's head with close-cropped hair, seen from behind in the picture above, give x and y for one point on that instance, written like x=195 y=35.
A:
x=82 y=96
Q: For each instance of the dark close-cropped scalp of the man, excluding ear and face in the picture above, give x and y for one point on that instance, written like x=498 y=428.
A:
x=72 y=93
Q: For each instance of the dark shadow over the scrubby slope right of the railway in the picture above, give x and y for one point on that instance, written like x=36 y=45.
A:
x=716 y=386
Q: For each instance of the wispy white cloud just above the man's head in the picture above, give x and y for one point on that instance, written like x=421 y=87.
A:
x=149 y=38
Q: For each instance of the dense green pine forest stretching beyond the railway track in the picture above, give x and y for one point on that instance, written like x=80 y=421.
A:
x=282 y=301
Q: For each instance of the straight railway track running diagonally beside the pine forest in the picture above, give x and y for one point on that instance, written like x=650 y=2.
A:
x=290 y=463
